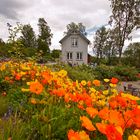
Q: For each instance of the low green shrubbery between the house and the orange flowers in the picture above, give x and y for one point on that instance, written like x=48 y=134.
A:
x=83 y=72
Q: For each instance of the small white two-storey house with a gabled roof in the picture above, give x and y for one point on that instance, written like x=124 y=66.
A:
x=74 y=48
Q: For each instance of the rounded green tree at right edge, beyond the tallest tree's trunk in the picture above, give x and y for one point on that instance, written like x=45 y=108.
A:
x=132 y=54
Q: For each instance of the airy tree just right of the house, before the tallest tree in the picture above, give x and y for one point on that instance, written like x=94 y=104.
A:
x=104 y=46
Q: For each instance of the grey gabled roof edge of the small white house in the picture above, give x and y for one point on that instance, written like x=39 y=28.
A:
x=74 y=33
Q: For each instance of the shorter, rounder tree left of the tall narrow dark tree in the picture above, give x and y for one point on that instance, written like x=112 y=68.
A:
x=28 y=38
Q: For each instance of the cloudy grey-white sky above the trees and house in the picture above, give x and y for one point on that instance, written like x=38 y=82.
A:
x=58 y=14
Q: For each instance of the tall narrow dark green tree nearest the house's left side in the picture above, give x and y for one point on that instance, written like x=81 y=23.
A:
x=44 y=38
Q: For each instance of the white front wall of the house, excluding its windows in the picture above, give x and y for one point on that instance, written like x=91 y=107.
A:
x=82 y=47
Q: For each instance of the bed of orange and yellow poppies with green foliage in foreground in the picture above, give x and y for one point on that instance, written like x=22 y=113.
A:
x=45 y=104
